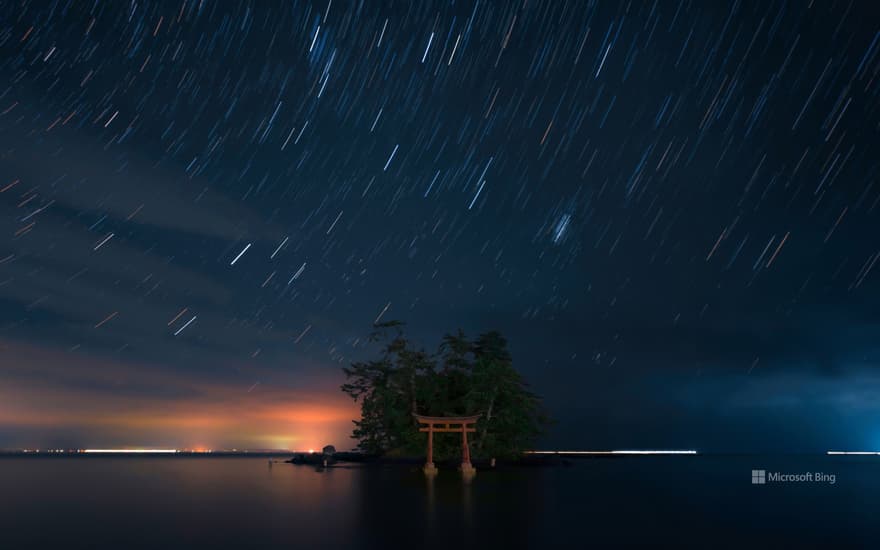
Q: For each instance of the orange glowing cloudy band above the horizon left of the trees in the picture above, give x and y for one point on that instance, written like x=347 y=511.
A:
x=216 y=415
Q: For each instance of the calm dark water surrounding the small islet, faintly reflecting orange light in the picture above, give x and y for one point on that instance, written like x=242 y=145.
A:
x=162 y=502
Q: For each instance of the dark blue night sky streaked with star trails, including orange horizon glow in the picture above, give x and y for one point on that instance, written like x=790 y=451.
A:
x=670 y=210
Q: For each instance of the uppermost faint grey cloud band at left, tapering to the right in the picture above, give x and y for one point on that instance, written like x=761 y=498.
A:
x=79 y=174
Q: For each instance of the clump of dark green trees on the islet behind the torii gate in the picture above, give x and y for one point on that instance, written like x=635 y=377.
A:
x=475 y=378
